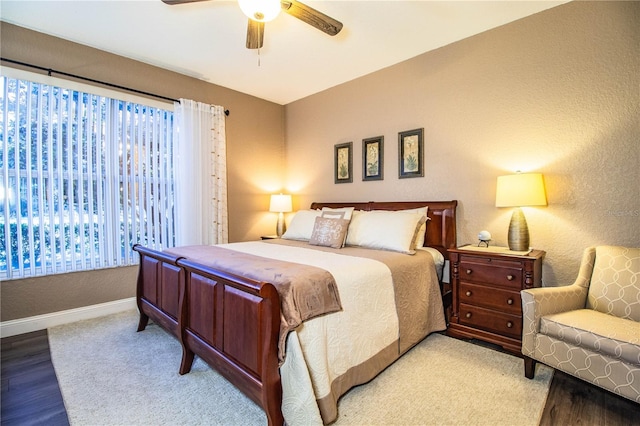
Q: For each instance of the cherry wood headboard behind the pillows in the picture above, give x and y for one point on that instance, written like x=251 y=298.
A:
x=441 y=228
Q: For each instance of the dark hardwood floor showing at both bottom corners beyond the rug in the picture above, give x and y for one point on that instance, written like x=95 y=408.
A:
x=31 y=396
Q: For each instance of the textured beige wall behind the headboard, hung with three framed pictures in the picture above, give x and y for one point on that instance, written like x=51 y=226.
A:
x=557 y=93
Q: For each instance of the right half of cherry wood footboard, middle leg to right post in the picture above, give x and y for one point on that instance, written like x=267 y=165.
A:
x=233 y=324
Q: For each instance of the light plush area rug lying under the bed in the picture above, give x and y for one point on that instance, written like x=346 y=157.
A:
x=111 y=375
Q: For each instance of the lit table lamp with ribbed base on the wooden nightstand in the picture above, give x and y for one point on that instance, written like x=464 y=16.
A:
x=519 y=190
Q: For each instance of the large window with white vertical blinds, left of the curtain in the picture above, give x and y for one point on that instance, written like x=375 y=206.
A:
x=83 y=177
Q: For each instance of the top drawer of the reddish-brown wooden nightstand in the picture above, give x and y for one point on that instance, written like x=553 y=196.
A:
x=492 y=271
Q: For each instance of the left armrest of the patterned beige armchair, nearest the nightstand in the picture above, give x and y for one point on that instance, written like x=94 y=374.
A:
x=538 y=302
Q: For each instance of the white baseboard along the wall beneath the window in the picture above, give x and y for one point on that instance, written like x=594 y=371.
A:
x=41 y=322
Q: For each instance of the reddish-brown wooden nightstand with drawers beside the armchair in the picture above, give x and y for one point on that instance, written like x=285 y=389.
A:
x=486 y=284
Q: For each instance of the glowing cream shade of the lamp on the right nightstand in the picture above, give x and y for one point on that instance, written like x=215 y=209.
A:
x=522 y=189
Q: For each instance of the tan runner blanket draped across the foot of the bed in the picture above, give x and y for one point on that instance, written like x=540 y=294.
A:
x=305 y=291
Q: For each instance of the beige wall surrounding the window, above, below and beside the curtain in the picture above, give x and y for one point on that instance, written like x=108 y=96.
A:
x=255 y=143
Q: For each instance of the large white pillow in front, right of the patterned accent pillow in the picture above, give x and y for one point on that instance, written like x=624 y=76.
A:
x=385 y=230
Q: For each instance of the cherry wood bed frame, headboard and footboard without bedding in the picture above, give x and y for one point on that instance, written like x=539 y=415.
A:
x=233 y=322
